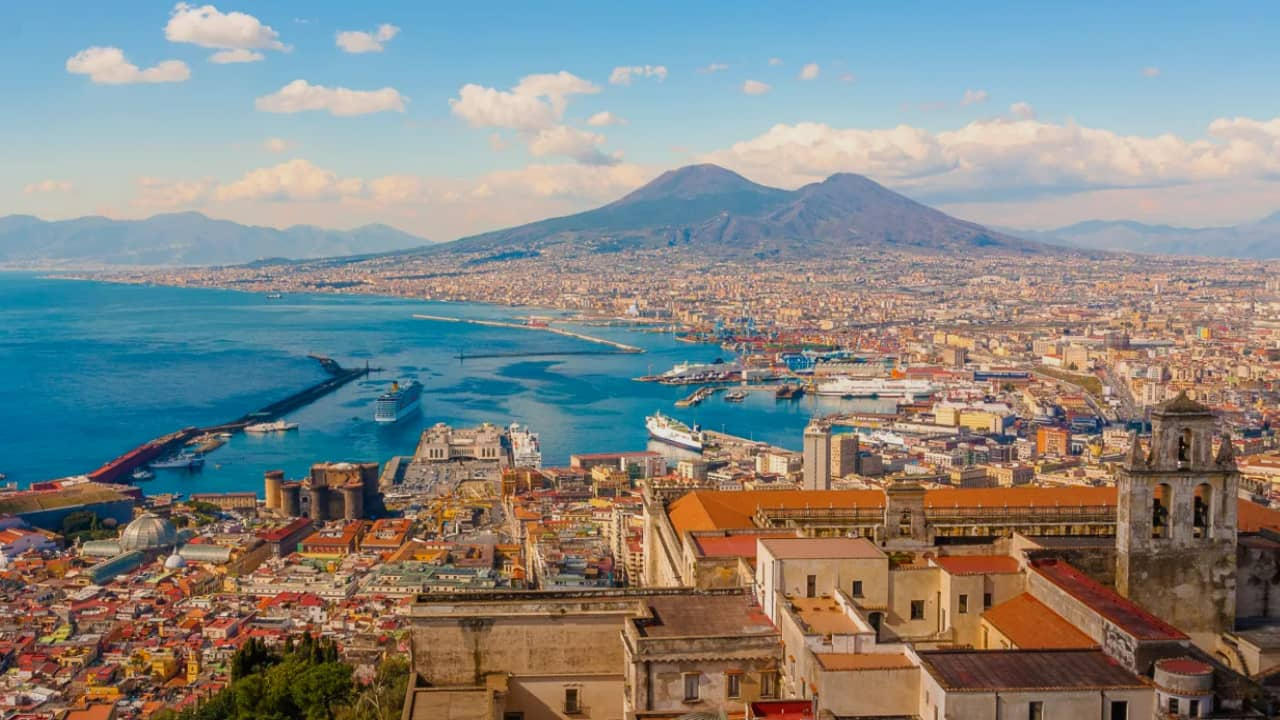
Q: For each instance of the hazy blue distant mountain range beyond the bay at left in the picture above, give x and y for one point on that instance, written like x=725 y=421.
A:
x=180 y=239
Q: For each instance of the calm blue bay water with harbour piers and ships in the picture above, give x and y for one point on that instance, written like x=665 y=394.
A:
x=89 y=371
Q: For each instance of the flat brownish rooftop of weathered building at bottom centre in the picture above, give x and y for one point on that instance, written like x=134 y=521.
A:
x=705 y=616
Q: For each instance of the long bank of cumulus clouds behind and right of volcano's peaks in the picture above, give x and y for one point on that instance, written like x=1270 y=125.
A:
x=1007 y=156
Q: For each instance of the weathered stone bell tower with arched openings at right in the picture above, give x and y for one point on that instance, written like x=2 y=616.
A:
x=1176 y=522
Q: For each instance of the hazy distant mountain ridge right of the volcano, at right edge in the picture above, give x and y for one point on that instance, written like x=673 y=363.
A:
x=1256 y=240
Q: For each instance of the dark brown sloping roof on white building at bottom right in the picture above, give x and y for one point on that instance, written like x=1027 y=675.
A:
x=985 y=671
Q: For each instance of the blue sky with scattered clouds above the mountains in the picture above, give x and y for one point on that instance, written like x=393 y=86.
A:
x=449 y=120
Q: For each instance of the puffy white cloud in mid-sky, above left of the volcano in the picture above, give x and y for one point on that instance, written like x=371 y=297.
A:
x=537 y=102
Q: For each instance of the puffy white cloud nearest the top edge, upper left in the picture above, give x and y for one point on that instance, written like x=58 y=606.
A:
x=231 y=33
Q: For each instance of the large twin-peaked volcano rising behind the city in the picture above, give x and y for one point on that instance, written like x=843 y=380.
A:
x=720 y=213
